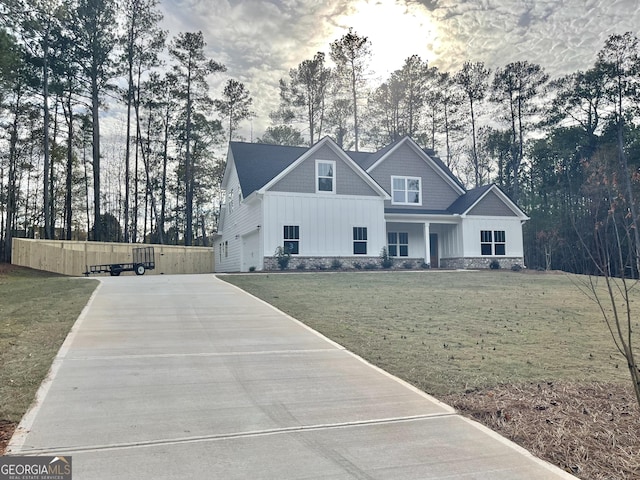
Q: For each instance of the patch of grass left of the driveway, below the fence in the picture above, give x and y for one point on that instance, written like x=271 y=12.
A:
x=37 y=310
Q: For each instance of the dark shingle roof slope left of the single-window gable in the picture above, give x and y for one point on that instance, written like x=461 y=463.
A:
x=258 y=163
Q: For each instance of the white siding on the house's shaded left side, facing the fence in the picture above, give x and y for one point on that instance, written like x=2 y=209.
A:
x=239 y=224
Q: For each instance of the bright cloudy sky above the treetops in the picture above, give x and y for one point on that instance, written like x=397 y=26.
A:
x=259 y=41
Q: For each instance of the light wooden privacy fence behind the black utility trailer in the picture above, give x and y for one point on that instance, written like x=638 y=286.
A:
x=71 y=258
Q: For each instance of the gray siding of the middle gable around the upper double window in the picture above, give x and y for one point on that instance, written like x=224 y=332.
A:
x=437 y=194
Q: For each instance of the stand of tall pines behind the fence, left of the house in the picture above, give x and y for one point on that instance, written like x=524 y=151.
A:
x=67 y=68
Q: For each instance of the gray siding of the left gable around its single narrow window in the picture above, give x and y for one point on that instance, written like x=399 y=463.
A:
x=302 y=179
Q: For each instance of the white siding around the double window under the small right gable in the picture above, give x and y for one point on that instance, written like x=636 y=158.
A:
x=511 y=226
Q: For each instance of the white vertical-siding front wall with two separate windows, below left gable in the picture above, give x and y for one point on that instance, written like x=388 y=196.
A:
x=326 y=222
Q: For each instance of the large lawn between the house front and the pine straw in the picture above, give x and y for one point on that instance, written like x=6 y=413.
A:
x=447 y=332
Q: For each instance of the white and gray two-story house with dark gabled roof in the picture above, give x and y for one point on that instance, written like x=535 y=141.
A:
x=322 y=203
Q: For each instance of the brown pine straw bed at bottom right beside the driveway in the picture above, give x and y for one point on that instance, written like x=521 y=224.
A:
x=590 y=430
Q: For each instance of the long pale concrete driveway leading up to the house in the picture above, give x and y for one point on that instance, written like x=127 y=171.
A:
x=167 y=377
